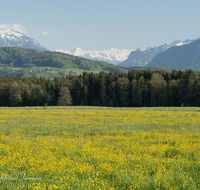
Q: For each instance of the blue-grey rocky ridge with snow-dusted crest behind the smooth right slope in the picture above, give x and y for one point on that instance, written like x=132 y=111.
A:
x=143 y=57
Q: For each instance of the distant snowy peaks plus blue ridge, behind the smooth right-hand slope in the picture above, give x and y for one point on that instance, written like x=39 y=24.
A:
x=125 y=57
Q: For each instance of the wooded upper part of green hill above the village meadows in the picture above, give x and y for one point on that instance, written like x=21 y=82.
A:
x=21 y=57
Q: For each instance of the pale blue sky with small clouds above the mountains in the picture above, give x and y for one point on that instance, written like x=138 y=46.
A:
x=103 y=24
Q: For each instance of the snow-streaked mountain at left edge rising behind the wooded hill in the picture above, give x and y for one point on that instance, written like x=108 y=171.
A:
x=10 y=37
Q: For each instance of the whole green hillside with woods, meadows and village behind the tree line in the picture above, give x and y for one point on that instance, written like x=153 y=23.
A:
x=15 y=61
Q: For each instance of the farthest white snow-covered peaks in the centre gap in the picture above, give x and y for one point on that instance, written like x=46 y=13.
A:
x=113 y=55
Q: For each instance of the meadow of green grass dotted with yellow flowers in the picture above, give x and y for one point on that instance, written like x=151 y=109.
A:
x=99 y=149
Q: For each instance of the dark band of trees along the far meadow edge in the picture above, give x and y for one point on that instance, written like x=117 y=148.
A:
x=134 y=88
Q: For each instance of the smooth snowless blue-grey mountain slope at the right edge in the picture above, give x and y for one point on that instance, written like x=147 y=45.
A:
x=183 y=57
